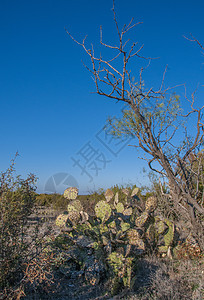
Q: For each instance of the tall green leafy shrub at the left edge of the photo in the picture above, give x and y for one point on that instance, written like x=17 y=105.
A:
x=17 y=198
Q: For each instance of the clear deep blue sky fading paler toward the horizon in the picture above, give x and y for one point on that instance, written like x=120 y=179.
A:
x=48 y=113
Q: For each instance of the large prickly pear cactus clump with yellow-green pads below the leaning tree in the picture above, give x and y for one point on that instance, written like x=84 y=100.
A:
x=121 y=230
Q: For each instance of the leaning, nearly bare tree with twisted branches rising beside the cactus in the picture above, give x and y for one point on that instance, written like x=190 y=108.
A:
x=155 y=119
